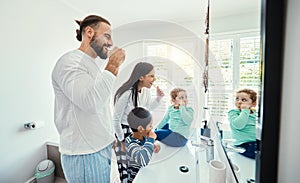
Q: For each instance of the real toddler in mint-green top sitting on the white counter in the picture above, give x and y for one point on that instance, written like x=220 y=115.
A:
x=174 y=129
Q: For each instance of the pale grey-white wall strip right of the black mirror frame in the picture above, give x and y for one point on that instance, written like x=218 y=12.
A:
x=290 y=122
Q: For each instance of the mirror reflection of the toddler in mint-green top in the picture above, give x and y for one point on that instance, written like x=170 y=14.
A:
x=243 y=121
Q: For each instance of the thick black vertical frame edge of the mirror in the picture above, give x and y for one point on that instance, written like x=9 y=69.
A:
x=272 y=39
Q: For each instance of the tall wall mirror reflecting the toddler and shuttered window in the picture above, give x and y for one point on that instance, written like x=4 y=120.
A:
x=237 y=57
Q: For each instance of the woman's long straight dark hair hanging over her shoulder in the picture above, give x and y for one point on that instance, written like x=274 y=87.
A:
x=140 y=69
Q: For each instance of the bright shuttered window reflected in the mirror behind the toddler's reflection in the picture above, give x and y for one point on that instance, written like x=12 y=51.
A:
x=238 y=59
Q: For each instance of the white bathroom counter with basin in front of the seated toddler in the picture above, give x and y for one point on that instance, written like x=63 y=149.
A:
x=175 y=165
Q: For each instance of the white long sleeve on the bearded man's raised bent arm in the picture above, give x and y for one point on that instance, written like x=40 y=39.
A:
x=86 y=92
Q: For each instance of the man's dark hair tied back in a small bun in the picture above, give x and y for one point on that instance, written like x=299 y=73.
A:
x=92 y=21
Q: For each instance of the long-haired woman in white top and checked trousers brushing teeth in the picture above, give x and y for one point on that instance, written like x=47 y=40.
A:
x=133 y=93
